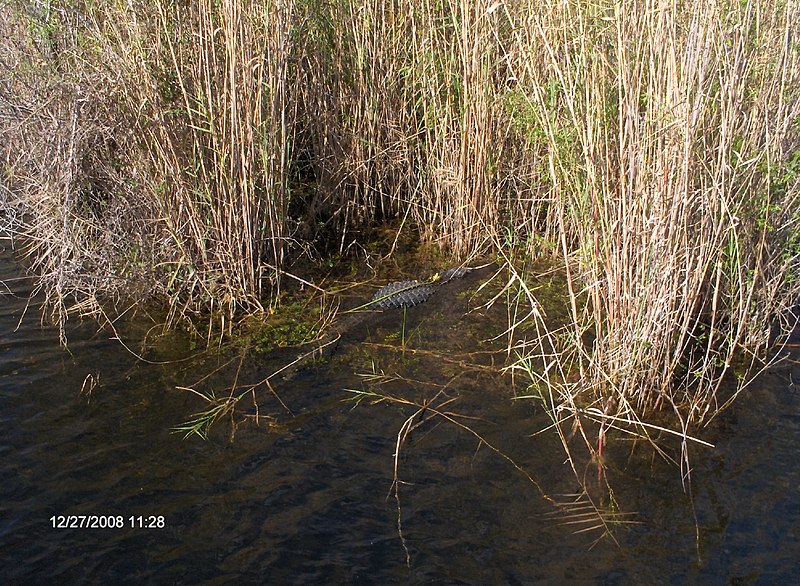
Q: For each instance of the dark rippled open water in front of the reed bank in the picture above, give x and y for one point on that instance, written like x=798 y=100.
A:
x=304 y=500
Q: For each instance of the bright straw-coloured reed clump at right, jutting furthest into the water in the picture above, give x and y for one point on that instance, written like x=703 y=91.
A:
x=672 y=143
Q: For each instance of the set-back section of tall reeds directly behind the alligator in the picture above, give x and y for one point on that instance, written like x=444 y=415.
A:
x=401 y=116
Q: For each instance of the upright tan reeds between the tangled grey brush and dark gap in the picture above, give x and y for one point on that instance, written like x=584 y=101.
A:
x=217 y=136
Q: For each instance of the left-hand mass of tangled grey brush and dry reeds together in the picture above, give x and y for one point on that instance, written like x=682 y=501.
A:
x=148 y=147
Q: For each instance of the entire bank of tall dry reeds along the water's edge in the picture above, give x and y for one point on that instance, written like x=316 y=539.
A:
x=191 y=152
